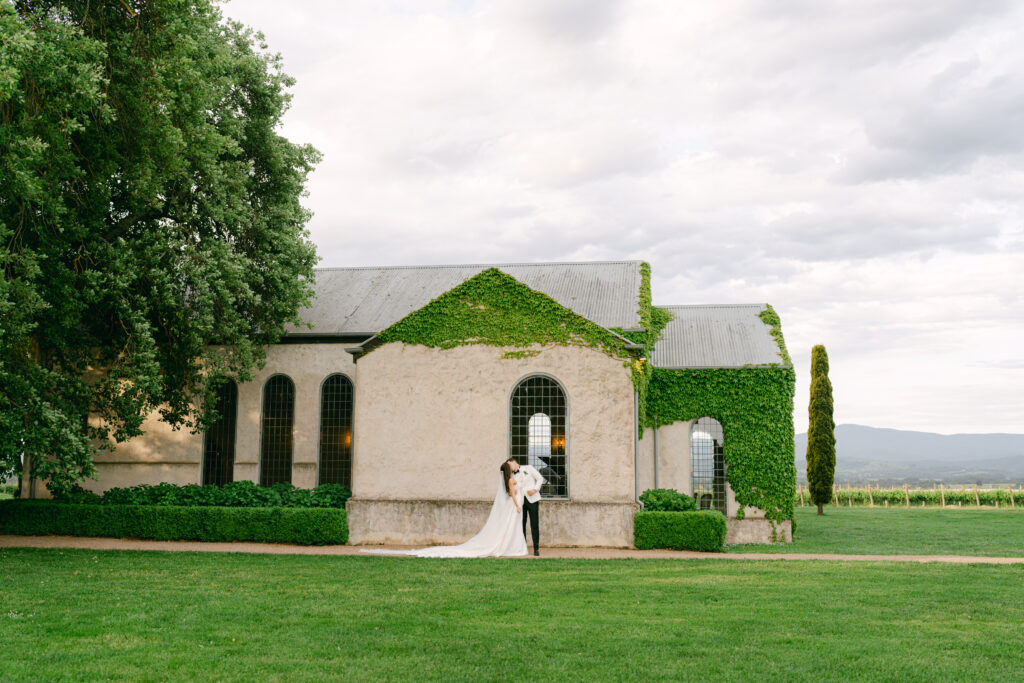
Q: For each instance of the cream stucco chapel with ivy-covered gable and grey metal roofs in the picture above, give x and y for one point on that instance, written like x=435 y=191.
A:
x=415 y=383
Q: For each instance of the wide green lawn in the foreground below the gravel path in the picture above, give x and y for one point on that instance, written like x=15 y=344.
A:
x=90 y=615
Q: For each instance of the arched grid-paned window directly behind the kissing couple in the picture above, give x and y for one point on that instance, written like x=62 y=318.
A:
x=537 y=432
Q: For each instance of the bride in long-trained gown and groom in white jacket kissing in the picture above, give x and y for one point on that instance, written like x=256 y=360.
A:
x=504 y=535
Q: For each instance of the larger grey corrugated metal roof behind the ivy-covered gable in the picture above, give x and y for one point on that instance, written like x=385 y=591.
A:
x=367 y=301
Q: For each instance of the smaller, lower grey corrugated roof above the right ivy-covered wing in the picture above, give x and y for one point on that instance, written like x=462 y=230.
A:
x=716 y=336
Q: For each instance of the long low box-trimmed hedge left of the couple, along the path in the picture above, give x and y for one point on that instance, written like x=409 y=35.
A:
x=309 y=527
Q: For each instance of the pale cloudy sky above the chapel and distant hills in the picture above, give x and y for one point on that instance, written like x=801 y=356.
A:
x=859 y=165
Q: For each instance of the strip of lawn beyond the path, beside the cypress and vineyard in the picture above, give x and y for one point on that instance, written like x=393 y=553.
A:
x=904 y=532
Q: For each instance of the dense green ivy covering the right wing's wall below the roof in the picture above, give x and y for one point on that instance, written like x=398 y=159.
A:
x=755 y=408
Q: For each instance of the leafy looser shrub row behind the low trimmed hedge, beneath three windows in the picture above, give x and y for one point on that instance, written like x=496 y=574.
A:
x=237 y=494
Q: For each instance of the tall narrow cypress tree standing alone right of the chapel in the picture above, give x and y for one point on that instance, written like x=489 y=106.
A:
x=821 y=432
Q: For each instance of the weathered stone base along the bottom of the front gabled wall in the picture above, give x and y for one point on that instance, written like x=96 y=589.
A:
x=451 y=523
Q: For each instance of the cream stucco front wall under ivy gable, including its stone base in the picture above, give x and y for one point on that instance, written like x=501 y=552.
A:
x=437 y=422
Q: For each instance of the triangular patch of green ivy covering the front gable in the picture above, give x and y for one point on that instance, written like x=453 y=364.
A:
x=496 y=310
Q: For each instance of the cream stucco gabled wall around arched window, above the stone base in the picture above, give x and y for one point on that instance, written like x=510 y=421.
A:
x=434 y=424
